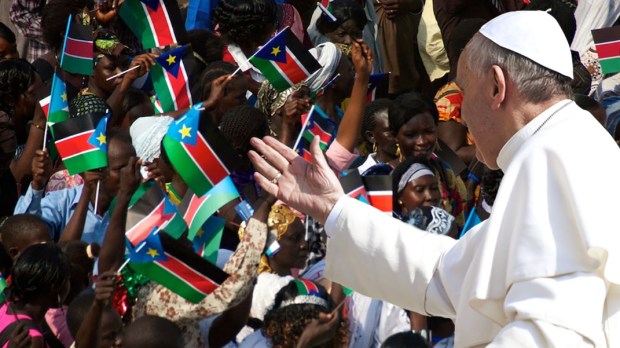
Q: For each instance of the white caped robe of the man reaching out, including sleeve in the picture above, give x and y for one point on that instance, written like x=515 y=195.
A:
x=542 y=271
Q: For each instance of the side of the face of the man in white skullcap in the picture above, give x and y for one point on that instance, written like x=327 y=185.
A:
x=476 y=111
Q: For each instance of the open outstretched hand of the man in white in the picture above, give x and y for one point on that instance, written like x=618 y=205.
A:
x=311 y=188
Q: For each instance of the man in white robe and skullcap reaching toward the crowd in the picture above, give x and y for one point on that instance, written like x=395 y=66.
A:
x=544 y=269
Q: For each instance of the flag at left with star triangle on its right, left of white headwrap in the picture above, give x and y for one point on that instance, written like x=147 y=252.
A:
x=82 y=142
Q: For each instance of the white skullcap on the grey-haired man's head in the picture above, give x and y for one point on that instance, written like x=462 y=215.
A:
x=535 y=35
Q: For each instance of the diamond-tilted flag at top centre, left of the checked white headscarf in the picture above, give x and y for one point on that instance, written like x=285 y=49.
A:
x=284 y=60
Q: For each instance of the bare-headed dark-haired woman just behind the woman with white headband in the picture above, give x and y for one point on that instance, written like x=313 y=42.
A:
x=413 y=121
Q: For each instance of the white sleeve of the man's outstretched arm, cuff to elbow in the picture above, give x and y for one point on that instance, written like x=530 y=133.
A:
x=381 y=257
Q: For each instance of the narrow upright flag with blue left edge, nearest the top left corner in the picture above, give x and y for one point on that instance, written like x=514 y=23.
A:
x=77 y=51
